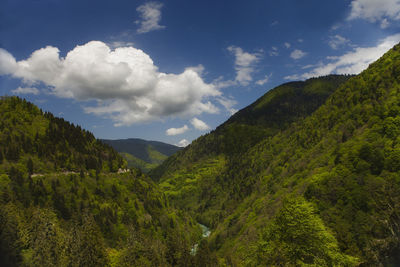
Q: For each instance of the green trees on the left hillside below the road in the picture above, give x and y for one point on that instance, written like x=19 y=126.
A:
x=70 y=220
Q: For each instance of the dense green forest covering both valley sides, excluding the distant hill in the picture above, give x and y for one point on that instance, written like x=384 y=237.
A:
x=308 y=175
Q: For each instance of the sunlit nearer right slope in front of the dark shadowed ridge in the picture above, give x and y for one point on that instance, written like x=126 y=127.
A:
x=343 y=161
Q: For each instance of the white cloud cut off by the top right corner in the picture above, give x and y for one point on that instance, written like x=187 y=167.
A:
x=375 y=11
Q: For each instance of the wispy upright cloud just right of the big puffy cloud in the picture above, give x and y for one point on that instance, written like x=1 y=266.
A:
x=244 y=64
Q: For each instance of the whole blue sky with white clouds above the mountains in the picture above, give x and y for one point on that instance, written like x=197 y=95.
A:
x=174 y=70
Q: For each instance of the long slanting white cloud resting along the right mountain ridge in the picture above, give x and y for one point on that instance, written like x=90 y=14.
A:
x=351 y=62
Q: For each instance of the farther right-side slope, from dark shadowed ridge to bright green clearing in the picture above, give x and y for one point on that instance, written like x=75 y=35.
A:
x=202 y=178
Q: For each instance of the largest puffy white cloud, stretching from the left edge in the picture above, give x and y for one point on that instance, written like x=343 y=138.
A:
x=125 y=82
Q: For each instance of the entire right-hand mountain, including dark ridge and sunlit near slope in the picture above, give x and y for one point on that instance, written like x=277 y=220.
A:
x=308 y=186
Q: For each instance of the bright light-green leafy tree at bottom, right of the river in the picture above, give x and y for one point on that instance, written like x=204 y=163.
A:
x=297 y=237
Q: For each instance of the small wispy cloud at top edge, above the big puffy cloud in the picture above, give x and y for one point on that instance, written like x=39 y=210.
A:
x=150 y=14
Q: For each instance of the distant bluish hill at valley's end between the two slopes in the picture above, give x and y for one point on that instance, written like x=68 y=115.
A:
x=142 y=154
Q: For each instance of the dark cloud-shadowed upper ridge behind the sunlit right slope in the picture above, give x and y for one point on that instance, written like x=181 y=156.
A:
x=273 y=112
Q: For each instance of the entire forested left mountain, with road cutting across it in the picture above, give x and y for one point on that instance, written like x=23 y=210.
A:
x=65 y=201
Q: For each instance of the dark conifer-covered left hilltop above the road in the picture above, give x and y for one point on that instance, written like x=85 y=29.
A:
x=46 y=142
